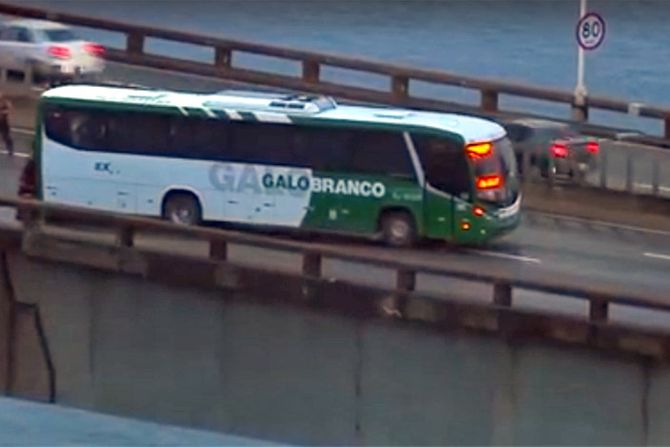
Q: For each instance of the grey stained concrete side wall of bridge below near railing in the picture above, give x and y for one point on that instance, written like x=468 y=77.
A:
x=256 y=367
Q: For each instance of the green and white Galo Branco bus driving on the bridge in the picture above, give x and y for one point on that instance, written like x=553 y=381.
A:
x=276 y=159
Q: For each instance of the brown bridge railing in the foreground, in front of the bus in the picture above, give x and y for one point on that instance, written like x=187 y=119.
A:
x=600 y=298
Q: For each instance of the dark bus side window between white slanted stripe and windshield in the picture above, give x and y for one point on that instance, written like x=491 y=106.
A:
x=444 y=164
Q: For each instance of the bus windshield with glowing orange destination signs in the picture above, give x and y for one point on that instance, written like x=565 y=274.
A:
x=495 y=172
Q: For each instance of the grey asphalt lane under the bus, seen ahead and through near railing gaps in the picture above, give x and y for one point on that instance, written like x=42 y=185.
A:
x=625 y=259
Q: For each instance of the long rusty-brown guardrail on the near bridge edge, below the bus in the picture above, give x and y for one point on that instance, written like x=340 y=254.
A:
x=599 y=298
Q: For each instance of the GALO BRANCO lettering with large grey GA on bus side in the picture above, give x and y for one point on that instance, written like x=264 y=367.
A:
x=231 y=177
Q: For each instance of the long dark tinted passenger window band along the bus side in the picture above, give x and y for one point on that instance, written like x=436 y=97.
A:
x=320 y=148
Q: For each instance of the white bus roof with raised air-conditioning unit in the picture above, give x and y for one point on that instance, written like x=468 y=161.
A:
x=274 y=107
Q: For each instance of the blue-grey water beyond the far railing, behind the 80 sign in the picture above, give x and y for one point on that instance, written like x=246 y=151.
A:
x=521 y=40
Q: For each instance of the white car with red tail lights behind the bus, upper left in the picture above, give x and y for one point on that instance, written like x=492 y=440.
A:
x=50 y=49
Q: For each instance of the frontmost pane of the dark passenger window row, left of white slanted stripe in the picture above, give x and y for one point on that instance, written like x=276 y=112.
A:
x=381 y=152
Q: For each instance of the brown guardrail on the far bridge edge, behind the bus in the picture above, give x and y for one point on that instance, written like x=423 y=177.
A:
x=312 y=65
